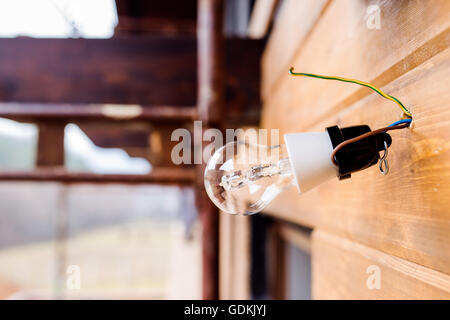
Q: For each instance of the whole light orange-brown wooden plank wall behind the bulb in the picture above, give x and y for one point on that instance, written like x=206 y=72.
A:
x=399 y=222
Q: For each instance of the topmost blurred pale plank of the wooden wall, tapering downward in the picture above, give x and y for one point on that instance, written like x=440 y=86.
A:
x=294 y=22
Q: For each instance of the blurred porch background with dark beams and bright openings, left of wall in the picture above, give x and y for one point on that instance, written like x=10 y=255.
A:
x=90 y=91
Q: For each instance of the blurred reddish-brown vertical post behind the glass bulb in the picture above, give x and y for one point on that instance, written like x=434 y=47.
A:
x=210 y=103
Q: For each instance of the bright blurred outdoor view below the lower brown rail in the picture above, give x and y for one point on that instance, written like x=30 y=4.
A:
x=108 y=241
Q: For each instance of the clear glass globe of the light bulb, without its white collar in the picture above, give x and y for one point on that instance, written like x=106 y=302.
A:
x=243 y=178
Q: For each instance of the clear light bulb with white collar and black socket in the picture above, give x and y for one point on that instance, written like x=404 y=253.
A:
x=243 y=178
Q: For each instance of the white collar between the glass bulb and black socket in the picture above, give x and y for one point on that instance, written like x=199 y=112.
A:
x=310 y=157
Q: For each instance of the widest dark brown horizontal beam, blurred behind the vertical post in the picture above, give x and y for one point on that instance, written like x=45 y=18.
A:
x=128 y=71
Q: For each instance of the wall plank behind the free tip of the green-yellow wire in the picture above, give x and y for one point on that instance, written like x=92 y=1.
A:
x=341 y=44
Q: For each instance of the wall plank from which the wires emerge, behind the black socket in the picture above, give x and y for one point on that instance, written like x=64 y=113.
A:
x=406 y=212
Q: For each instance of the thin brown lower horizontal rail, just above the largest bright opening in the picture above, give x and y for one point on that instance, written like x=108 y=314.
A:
x=173 y=176
